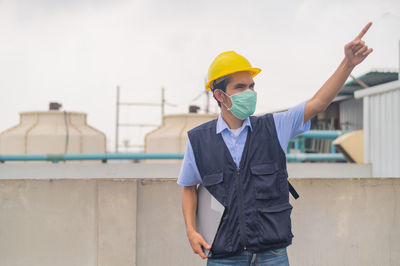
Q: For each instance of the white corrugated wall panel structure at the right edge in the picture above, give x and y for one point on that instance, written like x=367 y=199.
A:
x=382 y=128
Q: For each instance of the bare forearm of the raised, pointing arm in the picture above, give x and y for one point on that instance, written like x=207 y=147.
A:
x=332 y=86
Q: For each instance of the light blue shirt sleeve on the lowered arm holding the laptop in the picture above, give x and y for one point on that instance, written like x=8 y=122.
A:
x=189 y=175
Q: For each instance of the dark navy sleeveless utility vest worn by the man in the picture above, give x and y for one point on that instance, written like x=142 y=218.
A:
x=255 y=195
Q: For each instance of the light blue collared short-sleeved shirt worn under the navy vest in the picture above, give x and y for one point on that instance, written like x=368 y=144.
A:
x=288 y=125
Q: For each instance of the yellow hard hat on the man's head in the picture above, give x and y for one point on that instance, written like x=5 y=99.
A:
x=227 y=63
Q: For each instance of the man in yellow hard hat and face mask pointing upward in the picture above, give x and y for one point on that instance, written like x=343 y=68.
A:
x=240 y=159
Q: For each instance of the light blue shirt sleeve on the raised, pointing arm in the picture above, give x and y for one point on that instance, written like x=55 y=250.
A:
x=290 y=123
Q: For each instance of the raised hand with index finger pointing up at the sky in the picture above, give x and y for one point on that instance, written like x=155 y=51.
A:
x=356 y=51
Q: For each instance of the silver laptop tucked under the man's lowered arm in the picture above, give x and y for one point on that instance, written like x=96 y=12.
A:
x=209 y=214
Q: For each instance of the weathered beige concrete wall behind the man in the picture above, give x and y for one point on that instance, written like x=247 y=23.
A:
x=137 y=221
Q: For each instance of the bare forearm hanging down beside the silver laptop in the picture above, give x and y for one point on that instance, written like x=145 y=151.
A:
x=189 y=207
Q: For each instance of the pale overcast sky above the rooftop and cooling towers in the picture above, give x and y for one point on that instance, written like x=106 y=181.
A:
x=76 y=52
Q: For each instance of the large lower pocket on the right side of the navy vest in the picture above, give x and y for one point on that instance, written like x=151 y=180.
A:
x=274 y=223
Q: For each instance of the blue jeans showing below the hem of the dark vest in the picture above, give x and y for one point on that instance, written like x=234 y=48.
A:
x=275 y=257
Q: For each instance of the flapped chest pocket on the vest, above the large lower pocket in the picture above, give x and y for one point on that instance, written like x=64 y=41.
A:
x=266 y=180
